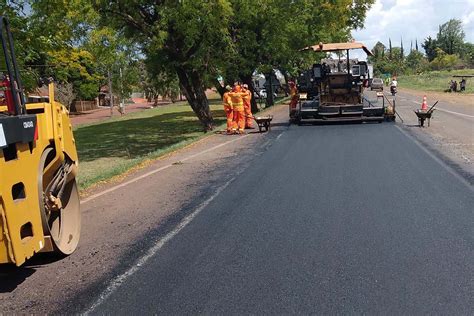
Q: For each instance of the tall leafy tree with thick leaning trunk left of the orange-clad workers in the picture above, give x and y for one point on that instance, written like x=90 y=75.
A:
x=187 y=38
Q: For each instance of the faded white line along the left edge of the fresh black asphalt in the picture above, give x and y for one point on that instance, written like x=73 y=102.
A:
x=118 y=280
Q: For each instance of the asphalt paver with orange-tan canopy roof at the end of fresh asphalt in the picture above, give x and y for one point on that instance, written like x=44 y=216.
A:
x=332 y=90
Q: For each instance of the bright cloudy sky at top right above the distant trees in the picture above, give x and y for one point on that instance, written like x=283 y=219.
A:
x=411 y=20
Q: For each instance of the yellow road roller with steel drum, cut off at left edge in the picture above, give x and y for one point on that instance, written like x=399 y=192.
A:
x=39 y=200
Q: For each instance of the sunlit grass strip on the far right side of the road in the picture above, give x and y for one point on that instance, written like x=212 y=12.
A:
x=436 y=80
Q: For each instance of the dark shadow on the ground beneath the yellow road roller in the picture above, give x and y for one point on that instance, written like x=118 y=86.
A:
x=11 y=276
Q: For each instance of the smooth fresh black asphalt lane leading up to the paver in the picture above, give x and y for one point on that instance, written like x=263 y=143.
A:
x=346 y=218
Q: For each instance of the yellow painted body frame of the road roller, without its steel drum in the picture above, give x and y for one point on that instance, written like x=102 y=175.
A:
x=21 y=228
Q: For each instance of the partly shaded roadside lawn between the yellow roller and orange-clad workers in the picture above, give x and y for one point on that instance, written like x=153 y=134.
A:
x=112 y=147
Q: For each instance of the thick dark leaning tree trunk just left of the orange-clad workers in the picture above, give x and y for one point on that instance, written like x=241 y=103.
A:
x=192 y=87
